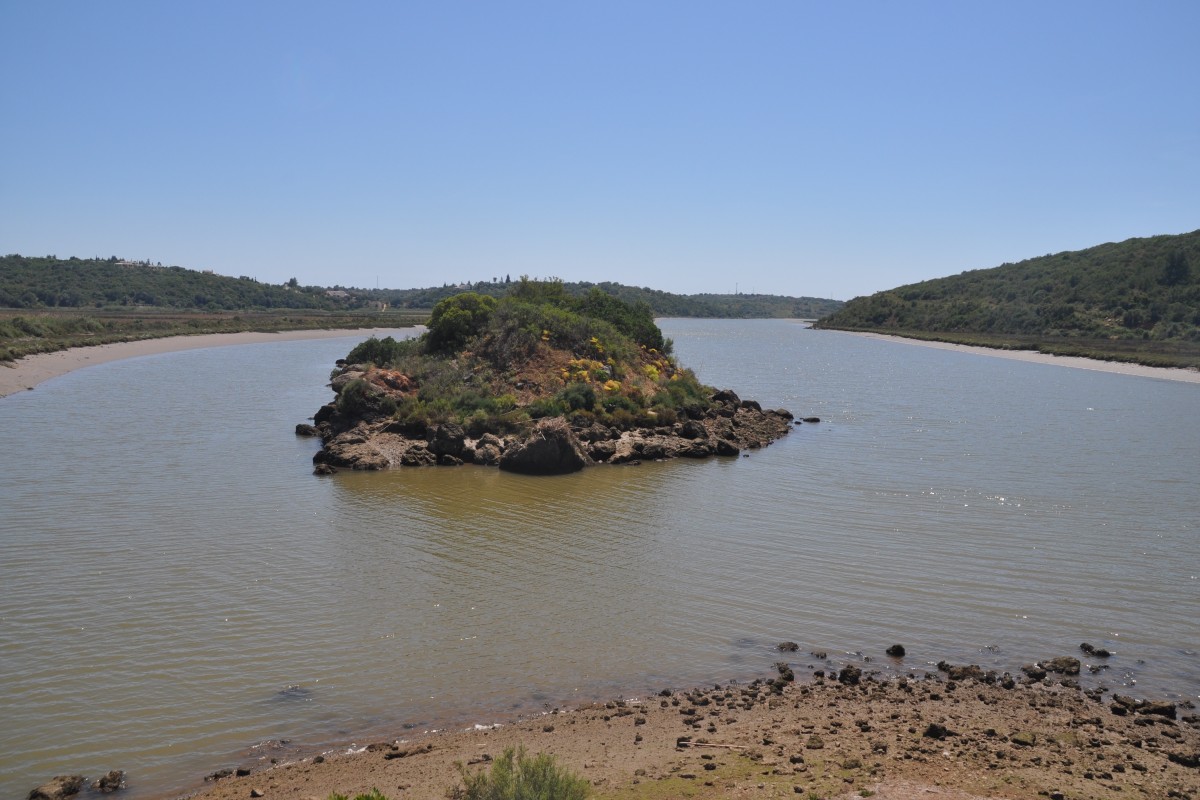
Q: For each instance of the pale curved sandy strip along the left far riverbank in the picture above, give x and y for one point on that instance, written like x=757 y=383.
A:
x=32 y=371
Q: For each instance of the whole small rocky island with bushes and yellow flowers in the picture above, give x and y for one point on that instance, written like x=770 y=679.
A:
x=538 y=382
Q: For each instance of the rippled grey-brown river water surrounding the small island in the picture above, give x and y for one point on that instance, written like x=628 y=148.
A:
x=181 y=593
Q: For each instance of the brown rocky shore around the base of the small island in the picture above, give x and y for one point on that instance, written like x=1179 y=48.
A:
x=364 y=437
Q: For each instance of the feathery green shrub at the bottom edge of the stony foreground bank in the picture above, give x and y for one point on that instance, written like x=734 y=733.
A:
x=518 y=777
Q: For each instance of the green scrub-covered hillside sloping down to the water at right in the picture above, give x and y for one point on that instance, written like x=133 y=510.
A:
x=1138 y=300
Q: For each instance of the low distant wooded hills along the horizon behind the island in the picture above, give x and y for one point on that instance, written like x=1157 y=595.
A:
x=50 y=282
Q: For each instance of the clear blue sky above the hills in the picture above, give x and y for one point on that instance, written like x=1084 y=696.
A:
x=829 y=149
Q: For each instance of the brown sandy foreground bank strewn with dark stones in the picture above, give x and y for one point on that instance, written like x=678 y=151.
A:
x=897 y=739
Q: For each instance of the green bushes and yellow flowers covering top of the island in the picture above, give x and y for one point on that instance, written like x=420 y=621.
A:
x=495 y=365
